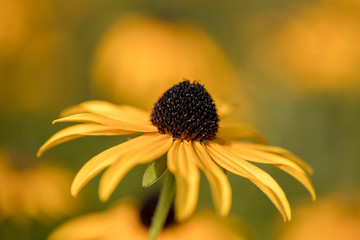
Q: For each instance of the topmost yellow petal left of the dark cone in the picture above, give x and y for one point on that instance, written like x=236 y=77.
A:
x=121 y=112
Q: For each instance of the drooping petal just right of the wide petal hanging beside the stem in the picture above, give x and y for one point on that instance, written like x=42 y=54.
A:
x=219 y=183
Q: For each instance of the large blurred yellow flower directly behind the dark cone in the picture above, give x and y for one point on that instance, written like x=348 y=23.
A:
x=140 y=56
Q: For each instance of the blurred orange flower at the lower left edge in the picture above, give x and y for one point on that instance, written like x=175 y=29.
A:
x=30 y=191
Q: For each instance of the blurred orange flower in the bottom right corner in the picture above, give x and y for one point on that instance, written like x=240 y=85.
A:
x=330 y=218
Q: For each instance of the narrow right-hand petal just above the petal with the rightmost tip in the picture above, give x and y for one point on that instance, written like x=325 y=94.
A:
x=282 y=152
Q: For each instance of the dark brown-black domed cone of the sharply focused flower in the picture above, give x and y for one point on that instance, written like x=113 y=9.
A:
x=186 y=111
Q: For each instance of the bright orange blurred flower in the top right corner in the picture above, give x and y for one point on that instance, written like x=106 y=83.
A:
x=318 y=47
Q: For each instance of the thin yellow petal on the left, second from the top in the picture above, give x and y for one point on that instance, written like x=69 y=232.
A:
x=99 y=119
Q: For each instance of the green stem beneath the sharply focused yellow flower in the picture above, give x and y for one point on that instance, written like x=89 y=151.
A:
x=163 y=206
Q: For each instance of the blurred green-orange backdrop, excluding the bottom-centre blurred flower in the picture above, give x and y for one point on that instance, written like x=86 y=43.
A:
x=289 y=68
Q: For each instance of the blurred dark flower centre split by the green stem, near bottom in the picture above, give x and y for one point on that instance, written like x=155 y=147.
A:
x=148 y=210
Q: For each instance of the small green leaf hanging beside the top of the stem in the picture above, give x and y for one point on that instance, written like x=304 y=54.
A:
x=154 y=171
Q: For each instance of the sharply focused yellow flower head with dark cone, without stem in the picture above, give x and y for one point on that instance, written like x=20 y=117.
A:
x=184 y=124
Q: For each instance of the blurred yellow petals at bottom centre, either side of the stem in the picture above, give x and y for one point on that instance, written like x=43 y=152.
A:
x=127 y=221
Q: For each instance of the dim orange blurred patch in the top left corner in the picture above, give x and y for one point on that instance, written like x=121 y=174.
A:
x=32 y=52
